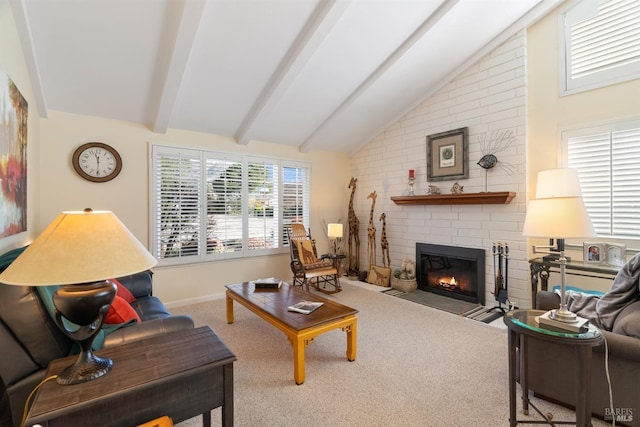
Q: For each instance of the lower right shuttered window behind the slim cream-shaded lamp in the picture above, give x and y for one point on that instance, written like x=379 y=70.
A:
x=607 y=159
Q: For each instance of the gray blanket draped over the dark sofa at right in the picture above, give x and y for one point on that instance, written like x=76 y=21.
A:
x=602 y=311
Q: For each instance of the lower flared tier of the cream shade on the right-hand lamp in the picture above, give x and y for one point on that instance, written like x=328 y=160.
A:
x=560 y=217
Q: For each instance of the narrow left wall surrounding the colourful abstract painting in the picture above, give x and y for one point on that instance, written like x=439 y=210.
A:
x=13 y=63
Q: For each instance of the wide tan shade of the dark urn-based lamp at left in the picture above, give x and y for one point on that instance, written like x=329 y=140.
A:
x=79 y=247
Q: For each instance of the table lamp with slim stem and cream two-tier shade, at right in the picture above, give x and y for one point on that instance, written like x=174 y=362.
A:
x=558 y=211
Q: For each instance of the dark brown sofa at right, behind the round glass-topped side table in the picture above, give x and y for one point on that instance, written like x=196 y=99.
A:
x=551 y=367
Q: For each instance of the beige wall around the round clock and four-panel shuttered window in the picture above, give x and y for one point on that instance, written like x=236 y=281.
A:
x=127 y=195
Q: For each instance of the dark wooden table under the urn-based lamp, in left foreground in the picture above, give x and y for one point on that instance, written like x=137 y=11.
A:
x=179 y=374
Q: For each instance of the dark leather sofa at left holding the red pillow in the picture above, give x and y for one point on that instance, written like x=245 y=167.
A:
x=30 y=339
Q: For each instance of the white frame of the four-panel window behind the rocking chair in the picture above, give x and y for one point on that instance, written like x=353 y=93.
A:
x=156 y=150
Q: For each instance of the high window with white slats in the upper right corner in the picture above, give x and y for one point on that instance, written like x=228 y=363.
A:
x=599 y=44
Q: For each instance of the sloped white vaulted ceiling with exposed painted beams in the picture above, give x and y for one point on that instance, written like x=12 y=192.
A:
x=314 y=74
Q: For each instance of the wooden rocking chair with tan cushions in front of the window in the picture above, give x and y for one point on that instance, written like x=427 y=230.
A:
x=305 y=265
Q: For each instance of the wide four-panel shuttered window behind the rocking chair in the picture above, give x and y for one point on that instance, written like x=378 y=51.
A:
x=209 y=205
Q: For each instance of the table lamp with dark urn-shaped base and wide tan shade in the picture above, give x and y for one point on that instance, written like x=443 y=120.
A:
x=80 y=251
